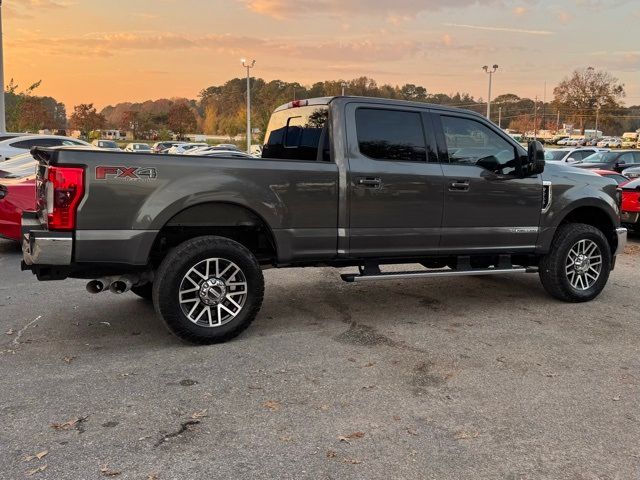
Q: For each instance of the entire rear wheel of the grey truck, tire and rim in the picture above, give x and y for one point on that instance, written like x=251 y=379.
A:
x=208 y=289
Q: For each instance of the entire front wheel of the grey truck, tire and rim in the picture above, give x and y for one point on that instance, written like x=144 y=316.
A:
x=577 y=267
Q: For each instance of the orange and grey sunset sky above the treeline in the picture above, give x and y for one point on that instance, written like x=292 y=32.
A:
x=110 y=51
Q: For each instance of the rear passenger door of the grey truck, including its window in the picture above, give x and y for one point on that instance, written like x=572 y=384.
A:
x=395 y=185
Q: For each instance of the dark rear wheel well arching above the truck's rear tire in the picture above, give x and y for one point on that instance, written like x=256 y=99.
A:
x=222 y=219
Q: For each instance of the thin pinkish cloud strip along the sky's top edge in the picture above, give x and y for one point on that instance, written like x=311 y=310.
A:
x=389 y=9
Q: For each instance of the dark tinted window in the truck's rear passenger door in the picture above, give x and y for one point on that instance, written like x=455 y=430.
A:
x=391 y=135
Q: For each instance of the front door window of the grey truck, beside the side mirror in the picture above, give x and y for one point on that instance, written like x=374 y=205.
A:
x=469 y=142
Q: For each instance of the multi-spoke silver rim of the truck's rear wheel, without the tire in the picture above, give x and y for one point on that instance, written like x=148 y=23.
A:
x=213 y=292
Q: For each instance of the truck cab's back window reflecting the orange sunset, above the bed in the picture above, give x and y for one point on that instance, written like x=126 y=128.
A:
x=295 y=133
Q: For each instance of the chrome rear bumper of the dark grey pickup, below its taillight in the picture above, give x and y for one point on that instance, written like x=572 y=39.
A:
x=41 y=247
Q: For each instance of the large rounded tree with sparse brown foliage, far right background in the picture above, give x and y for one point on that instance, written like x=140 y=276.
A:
x=586 y=91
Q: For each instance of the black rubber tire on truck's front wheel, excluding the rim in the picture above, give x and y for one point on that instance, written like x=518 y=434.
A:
x=553 y=266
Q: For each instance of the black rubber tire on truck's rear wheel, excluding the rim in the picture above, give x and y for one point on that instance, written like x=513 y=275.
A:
x=175 y=267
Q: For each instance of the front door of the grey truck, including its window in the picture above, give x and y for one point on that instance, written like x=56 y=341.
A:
x=487 y=206
